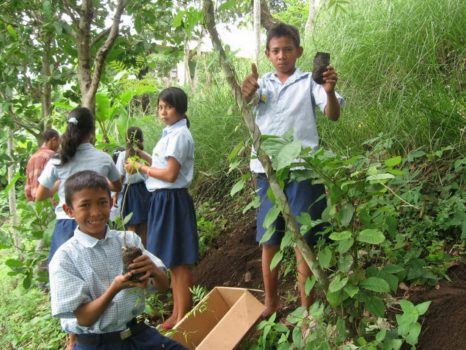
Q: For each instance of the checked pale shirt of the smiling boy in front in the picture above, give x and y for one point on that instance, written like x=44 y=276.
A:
x=82 y=269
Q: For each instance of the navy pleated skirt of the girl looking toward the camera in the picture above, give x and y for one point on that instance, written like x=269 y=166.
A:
x=172 y=227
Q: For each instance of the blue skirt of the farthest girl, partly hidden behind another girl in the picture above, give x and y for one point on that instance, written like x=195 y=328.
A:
x=136 y=202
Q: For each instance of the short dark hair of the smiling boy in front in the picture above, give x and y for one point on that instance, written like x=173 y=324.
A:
x=82 y=180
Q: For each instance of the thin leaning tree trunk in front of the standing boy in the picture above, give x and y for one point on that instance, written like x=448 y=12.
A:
x=306 y=250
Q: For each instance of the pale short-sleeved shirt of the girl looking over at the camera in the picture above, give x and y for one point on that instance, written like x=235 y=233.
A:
x=176 y=142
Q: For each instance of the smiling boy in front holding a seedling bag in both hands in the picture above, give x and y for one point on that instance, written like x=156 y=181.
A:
x=90 y=293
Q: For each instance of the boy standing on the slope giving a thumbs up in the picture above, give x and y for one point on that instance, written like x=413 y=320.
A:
x=286 y=101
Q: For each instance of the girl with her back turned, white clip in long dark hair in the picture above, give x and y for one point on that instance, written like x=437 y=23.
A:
x=76 y=154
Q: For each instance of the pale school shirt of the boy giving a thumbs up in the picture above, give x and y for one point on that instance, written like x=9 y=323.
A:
x=282 y=107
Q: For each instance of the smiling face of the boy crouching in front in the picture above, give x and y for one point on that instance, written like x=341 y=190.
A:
x=91 y=210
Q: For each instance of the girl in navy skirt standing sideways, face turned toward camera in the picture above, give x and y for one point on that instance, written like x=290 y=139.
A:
x=172 y=228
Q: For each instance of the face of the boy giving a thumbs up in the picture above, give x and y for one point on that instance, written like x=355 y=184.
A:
x=283 y=53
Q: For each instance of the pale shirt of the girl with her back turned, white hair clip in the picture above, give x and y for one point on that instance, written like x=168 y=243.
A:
x=87 y=157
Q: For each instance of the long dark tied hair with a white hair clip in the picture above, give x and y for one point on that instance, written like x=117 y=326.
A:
x=81 y=125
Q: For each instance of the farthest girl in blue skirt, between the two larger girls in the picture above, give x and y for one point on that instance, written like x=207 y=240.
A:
x=135 y=197
